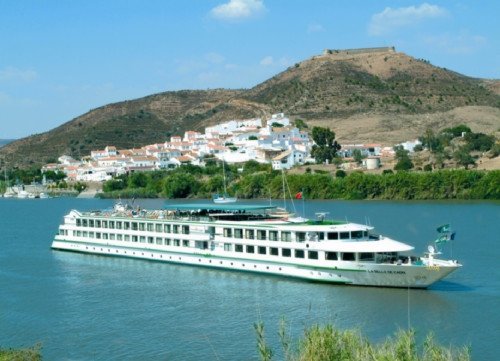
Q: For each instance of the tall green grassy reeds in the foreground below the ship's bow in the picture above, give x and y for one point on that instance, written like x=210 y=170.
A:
x=326 y=343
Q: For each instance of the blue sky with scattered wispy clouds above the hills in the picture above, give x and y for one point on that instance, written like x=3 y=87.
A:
x=60 y=59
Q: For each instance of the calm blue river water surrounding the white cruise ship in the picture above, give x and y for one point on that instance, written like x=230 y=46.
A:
x=85 y=307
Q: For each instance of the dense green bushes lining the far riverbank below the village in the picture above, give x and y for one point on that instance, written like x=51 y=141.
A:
x=259 y=181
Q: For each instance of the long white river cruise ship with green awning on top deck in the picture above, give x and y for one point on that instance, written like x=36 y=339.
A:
x=251 y=238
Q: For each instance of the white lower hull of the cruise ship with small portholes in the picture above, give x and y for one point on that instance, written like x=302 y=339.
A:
x=348 y=273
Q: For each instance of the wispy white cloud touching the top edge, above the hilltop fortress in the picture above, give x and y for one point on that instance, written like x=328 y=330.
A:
x=391 y=19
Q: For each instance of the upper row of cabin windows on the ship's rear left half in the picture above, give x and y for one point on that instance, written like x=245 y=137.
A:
x=134 y=226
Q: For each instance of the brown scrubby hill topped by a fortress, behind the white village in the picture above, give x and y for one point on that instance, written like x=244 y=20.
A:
x=377 y=95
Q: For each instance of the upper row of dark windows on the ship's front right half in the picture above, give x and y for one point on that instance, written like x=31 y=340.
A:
x=286 y=236
